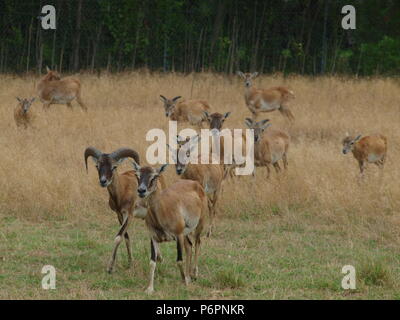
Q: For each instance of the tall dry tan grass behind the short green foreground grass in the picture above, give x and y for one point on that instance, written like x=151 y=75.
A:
x=43 y=175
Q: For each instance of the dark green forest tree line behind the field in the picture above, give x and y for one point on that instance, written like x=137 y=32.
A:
x=288 y=36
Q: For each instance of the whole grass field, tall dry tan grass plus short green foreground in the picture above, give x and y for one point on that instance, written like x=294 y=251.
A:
x=283 y=238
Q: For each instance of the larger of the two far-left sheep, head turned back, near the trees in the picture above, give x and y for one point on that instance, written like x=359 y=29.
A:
x=54 y=90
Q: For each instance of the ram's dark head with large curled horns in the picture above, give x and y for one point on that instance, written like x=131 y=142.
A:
x=107 y=163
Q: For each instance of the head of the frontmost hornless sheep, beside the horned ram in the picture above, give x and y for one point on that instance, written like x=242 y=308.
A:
x=147 y=178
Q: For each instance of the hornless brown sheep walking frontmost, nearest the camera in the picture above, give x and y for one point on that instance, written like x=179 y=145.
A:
x=175 y=213
